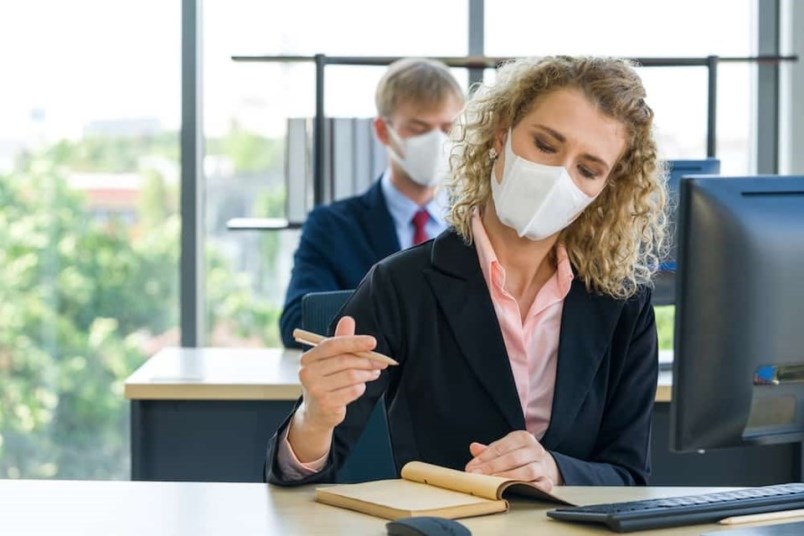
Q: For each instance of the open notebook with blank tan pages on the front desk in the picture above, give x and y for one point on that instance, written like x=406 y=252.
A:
x=431 y=490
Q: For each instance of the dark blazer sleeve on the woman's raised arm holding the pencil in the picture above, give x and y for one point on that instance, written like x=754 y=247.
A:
x=375 y=308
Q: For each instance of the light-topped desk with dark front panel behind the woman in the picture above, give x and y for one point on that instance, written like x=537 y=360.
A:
x=206 y=414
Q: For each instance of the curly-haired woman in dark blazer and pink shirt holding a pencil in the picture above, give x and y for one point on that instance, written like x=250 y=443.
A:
x=525 y=336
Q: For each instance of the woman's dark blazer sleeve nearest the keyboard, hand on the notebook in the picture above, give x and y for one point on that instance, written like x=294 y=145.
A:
x=622 y=452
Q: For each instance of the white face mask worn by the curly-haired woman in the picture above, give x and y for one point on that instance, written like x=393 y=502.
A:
x=534 y=199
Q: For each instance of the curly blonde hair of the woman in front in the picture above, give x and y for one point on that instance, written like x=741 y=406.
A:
x=616 y=244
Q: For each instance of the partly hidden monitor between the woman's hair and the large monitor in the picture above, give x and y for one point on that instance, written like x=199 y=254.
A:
x=664 y=293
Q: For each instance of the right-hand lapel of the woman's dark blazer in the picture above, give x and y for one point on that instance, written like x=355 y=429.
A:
x=587 y=322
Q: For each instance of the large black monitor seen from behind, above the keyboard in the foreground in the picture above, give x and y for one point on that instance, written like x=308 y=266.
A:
x=738 y=371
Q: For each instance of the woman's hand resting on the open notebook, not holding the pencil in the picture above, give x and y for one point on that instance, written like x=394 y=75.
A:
x=518 y=456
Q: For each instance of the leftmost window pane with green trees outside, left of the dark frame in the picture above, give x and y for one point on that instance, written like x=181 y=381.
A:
x=89 y=234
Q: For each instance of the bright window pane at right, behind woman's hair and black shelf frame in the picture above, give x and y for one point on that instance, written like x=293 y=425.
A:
x=678 y=95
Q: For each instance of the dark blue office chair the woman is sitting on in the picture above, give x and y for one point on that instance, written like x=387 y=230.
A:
x=371 y=457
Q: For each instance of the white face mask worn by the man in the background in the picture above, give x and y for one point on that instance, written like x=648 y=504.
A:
x=426 y=156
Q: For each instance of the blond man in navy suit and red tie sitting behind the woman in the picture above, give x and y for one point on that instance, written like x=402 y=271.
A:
x=417 y=101
